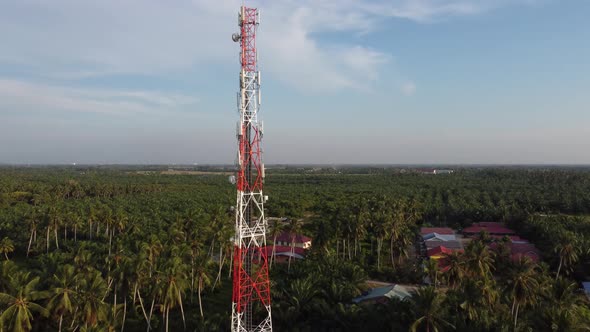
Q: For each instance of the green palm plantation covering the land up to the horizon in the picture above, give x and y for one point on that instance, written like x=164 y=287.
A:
x=123 y=248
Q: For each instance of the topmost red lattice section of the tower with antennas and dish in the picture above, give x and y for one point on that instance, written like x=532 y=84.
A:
x=248 y=20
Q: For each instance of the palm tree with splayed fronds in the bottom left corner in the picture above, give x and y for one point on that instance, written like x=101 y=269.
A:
x=20 y=303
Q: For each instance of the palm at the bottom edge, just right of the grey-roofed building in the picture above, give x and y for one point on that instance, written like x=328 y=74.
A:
x=426 y=304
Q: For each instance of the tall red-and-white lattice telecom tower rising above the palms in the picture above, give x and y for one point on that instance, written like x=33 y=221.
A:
x=251 y=285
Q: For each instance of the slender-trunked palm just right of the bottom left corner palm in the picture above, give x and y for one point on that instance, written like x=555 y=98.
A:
x=63 y=293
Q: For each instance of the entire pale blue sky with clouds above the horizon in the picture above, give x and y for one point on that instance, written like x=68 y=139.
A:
x=344 y=81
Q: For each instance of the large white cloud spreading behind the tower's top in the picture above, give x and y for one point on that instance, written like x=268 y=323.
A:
x=71 y=39
